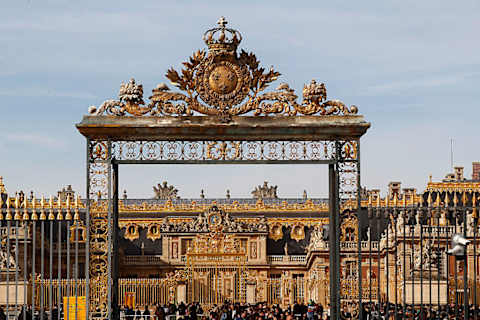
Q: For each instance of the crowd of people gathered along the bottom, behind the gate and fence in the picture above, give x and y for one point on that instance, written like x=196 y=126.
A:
x=261 y=311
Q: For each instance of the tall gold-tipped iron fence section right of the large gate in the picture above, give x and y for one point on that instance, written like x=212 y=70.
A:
x=418 y=266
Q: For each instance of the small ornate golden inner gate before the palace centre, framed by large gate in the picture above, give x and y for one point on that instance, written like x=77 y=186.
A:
x=216 y=265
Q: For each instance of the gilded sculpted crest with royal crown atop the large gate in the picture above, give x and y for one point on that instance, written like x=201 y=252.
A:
x=222 y=82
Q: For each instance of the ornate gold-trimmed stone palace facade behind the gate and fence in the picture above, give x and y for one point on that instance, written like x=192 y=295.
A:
x=260 y=249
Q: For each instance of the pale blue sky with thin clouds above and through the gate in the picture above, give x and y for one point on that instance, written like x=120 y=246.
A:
x=412 y=68
